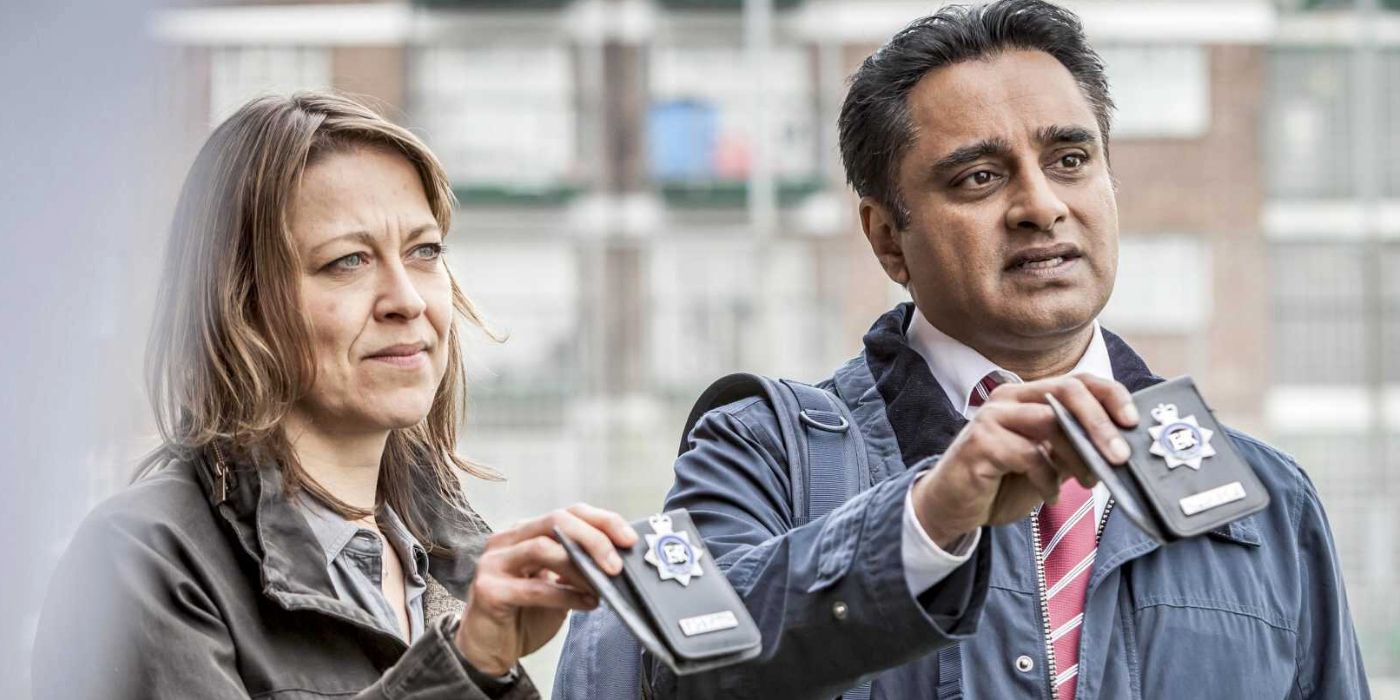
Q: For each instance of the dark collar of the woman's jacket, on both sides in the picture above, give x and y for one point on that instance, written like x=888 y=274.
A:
x=272 y=531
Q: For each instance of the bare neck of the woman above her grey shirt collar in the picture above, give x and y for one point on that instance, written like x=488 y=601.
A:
x=346 y=465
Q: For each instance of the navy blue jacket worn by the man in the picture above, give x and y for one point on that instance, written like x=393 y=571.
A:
x=1255 y=610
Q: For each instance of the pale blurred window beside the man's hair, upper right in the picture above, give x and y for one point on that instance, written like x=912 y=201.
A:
x=1160 y=92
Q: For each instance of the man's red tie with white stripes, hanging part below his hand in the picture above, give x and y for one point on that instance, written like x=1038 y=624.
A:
x=1067 y=547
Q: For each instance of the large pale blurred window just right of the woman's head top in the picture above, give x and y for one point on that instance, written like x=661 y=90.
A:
x=500 y=118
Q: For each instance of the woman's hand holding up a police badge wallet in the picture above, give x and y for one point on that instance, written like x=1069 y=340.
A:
x=526 y=584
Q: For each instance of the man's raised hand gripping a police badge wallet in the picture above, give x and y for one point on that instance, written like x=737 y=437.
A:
x=1013 y=456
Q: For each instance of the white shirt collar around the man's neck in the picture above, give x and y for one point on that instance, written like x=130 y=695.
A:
x=958 y=369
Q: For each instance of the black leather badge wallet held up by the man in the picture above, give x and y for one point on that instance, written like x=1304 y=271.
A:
x=1185 y=477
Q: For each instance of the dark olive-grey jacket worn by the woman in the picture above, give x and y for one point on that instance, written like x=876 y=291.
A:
x=166 y=596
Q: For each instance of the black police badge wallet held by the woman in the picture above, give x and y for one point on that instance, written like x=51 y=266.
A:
x=674 y=598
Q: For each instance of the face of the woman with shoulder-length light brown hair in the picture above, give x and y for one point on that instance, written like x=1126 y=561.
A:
x=374 y=290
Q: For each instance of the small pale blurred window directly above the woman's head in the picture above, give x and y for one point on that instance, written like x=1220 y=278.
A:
x=241 y=73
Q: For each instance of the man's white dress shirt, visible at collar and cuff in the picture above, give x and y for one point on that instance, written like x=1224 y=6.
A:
x=958 y=369
